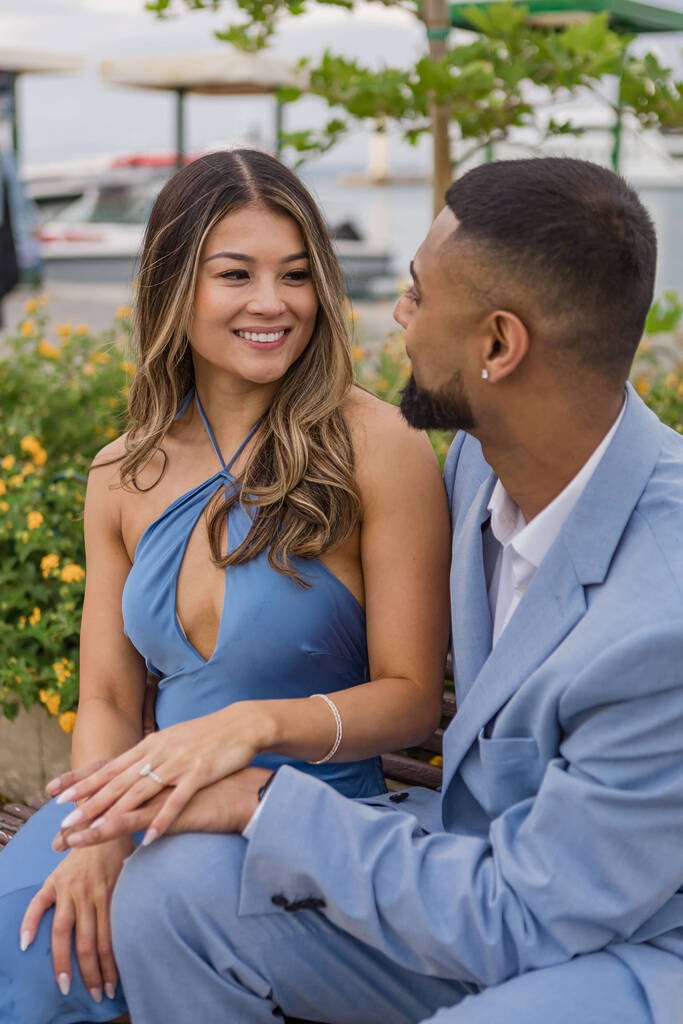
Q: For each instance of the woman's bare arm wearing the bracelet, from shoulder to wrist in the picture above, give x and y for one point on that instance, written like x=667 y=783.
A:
x=405 y=553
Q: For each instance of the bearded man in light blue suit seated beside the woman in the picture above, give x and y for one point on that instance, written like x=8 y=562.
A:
x=545 y=885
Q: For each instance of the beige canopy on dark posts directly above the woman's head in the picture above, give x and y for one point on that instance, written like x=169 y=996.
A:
x=217 y=73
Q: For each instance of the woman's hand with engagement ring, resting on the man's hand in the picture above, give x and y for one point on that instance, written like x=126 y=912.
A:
x=183 y=760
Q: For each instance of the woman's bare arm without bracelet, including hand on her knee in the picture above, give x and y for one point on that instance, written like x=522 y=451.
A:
x=109 y=722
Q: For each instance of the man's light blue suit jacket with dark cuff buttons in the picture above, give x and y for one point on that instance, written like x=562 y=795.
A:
x=560 y=830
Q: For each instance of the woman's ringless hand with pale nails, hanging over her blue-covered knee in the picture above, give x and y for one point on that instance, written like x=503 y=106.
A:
x=80 y=889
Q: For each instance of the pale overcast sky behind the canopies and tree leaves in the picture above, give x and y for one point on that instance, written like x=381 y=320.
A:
x=75 y=116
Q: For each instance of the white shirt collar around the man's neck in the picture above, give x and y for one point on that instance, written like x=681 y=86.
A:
x=533 y=541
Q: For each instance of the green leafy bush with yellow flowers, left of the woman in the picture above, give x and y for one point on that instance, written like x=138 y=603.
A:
x=63 y=397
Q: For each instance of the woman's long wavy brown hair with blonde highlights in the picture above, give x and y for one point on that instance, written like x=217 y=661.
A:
x=300 y=473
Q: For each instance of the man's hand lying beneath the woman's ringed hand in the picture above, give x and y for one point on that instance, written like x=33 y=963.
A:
x=226 y=806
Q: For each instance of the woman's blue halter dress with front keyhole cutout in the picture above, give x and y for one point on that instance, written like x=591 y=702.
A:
x=276 y=639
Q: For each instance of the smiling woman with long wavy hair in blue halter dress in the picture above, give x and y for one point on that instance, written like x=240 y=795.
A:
x=278 y=541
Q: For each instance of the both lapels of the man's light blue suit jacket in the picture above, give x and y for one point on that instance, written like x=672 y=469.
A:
x=556 y=600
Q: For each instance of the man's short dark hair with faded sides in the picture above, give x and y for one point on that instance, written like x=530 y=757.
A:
x=577 y=240
